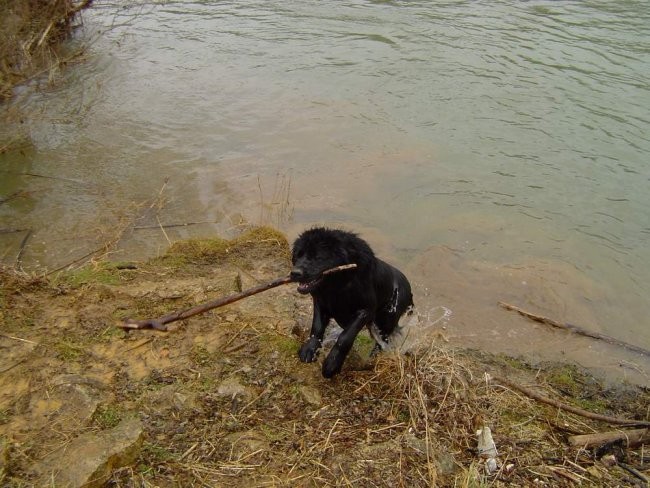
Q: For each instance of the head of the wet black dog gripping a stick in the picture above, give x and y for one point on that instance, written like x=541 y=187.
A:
x=319 y=249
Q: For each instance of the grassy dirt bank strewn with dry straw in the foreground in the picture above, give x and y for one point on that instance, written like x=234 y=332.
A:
x=222 y=399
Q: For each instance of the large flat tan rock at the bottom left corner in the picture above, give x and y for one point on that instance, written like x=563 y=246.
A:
x=89 y=460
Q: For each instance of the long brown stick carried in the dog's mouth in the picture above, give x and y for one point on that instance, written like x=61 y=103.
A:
x=160 y=323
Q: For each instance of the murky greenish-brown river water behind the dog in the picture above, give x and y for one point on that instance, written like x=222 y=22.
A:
x=494 y=150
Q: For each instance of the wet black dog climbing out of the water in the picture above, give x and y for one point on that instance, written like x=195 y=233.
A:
x=373 y=293
